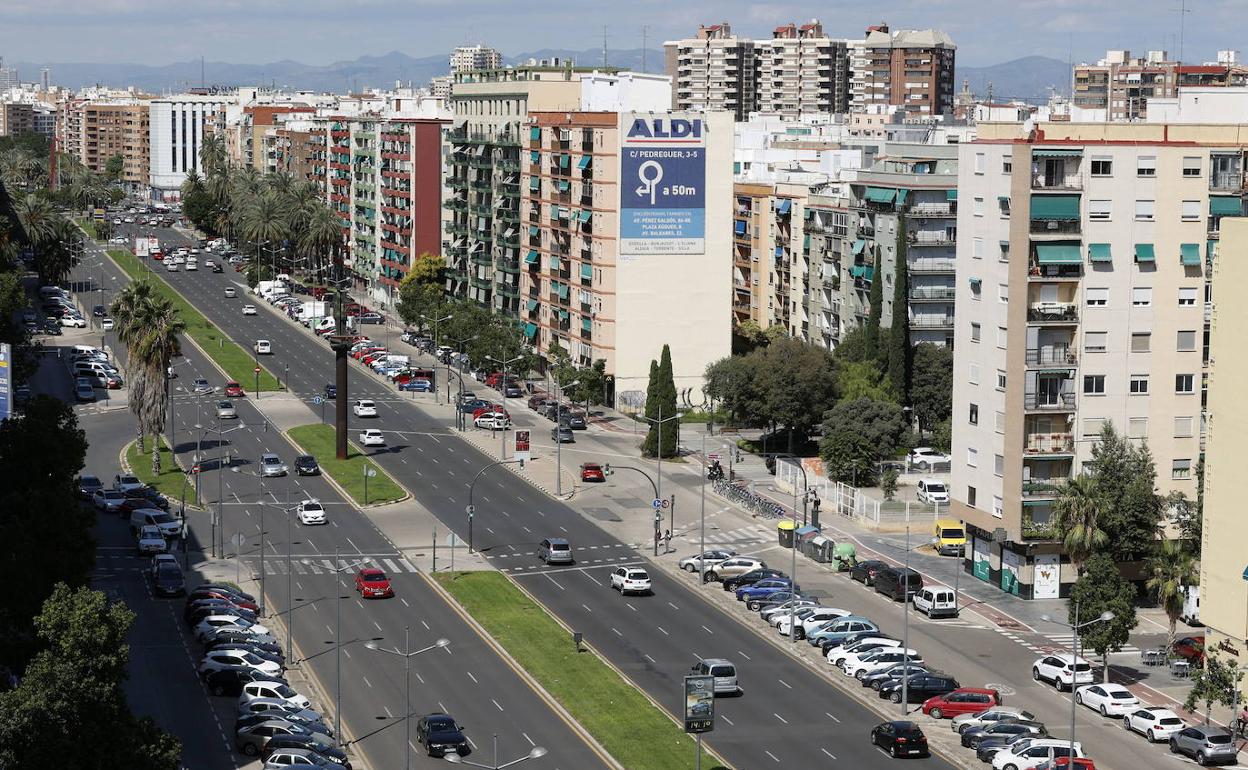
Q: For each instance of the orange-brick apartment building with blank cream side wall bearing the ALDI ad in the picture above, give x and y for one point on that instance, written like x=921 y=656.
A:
x=610 y=253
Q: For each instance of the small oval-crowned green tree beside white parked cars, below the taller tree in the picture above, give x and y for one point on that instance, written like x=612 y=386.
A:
x=1101 y=588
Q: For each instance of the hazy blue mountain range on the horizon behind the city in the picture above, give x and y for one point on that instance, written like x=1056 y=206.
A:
x=1028 y=78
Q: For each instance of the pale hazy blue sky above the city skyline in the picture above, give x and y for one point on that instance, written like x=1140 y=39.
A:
x=323 y=32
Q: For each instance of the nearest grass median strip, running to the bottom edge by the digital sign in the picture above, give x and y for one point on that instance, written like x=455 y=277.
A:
x=633 y=731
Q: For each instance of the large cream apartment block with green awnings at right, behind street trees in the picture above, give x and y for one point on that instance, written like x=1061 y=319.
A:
x=1083 y=260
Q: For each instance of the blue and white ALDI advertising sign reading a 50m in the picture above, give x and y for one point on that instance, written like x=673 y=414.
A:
x=663 y=180
